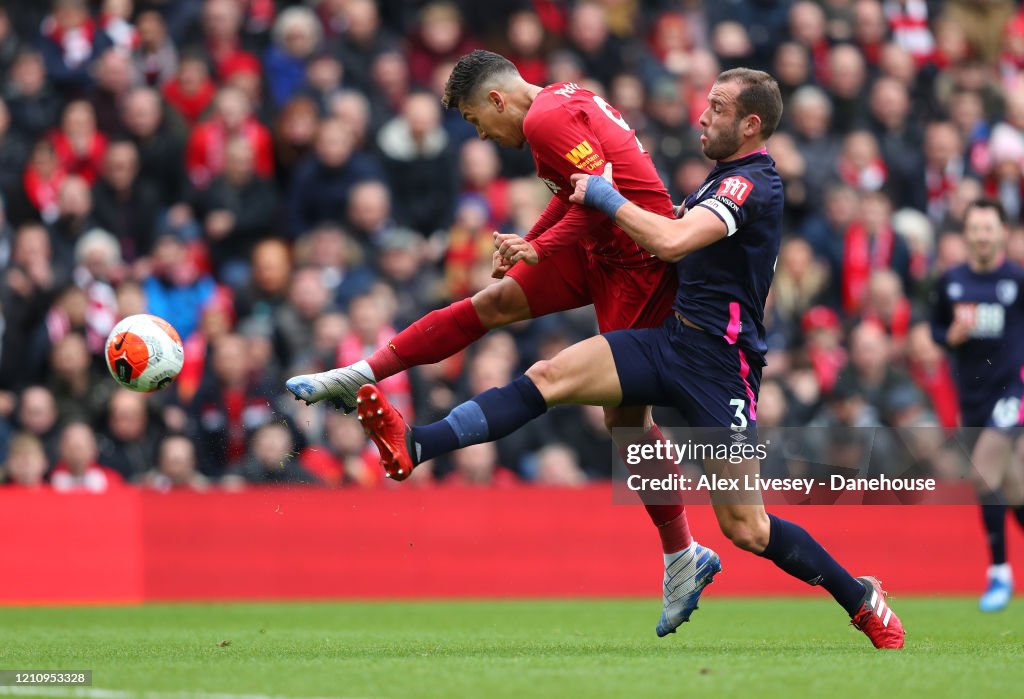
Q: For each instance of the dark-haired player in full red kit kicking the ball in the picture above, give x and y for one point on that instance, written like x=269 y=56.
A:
x=573 y=257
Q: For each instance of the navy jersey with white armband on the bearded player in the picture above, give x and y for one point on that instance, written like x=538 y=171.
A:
x=723 y=287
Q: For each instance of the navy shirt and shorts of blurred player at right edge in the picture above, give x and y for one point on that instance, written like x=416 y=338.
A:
x=989 y=364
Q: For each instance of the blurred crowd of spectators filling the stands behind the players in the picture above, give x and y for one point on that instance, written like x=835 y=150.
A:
x=279 y=181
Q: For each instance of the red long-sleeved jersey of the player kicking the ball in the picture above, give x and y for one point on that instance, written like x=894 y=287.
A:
x=573 y=130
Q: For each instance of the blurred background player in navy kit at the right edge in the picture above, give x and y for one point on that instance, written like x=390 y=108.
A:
x=979 y=316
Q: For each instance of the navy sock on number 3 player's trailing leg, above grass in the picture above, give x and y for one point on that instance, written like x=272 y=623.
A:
x=796 y=552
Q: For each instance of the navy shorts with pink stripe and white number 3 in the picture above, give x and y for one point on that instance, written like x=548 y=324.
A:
x=712 y=383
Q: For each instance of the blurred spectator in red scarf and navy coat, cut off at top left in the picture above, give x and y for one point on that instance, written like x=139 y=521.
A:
x=70 y=42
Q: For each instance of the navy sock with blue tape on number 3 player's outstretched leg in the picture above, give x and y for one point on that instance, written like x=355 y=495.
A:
x=487 y=418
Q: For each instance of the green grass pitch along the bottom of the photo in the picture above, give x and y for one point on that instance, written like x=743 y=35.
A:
x=564 y=649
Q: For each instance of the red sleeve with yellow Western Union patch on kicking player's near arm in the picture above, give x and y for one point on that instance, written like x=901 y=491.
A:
x=564 y=145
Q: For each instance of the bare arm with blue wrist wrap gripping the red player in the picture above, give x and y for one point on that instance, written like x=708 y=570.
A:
x=669 y=240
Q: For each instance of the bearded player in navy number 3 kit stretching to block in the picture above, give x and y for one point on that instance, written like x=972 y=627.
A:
x=706 y=360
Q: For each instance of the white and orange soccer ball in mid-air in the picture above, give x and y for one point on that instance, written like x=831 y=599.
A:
x=145 y=354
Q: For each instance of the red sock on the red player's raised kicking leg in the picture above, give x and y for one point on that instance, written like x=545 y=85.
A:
x=437 y=336
